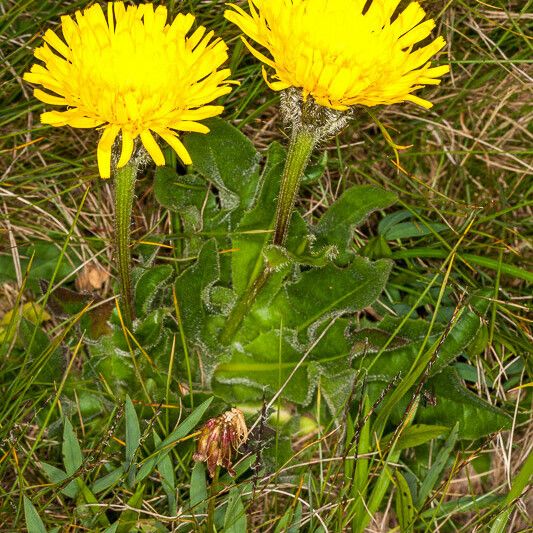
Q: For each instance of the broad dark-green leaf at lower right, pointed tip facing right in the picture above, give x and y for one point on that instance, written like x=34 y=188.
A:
x=456 y=404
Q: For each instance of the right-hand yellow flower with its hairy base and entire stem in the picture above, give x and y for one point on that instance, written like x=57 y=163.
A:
x=328 y=56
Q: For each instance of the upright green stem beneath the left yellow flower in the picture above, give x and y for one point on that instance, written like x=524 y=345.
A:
x=124 y=191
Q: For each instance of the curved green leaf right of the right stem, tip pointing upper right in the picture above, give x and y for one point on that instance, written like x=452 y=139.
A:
x=338 y=223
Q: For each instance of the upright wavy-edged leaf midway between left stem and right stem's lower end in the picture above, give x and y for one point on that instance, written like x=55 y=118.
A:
x=192 y=289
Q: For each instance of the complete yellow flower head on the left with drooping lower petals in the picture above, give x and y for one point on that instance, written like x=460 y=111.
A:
x=132 y=74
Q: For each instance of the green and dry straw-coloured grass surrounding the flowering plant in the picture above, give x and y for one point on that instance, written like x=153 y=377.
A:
x=469 y=169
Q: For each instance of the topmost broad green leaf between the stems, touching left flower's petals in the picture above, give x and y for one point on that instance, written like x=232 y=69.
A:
x=227 y=158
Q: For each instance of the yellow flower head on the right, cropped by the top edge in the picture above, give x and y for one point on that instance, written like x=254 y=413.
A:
x=340 y=54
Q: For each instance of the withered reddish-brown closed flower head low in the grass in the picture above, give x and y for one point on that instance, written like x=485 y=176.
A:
x=219 y=438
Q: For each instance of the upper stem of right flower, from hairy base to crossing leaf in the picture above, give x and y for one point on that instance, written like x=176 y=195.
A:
x=303 y=141
